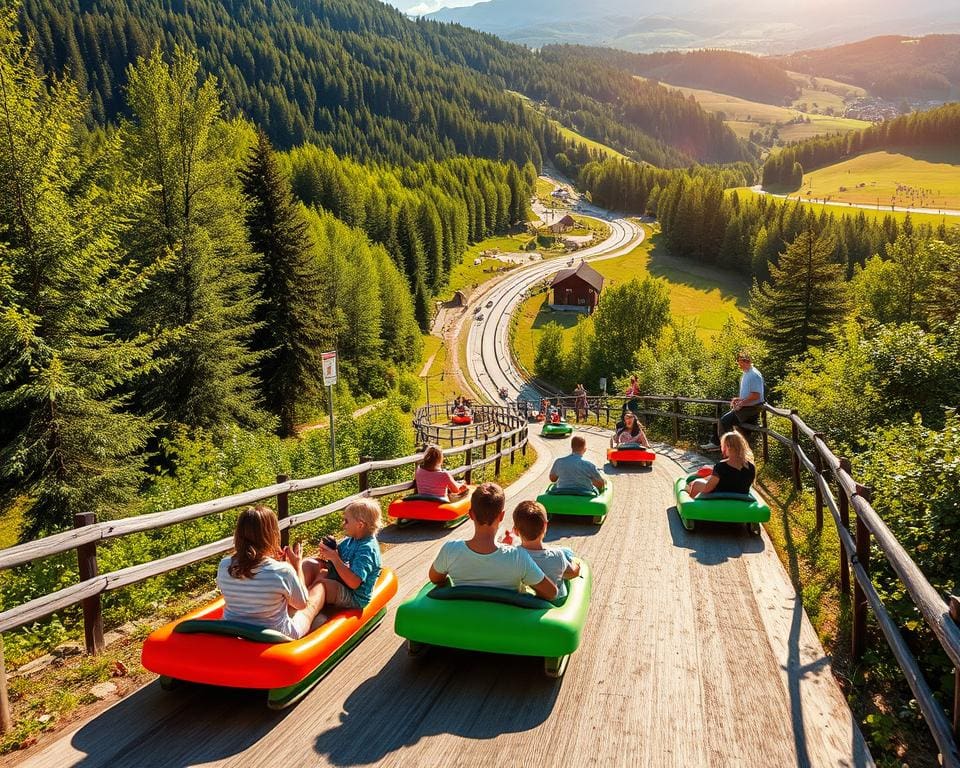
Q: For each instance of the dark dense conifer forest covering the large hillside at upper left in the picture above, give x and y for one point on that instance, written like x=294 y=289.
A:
x=363 y=79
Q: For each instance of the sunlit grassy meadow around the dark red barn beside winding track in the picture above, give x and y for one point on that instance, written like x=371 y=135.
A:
x=698 y=293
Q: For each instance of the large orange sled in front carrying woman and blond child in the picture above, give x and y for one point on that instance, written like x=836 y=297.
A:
x=200 y=648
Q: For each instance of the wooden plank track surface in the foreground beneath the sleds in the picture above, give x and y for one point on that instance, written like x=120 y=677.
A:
x=696 y=654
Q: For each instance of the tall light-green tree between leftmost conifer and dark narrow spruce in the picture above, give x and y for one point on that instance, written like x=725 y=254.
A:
x=179 y=145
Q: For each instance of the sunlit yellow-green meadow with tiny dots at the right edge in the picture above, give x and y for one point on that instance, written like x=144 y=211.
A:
x=909 y=178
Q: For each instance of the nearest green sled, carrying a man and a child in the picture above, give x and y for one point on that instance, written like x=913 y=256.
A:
x=498 y=621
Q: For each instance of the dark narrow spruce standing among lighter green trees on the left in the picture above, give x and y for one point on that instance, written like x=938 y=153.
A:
x=295 y=326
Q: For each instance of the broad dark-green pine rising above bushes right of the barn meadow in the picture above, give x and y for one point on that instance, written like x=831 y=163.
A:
x=806 y=294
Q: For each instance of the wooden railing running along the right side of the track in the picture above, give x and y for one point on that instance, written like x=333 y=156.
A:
x=834 y=488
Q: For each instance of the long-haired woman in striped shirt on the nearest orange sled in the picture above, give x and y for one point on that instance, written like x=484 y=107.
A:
x=262 y=583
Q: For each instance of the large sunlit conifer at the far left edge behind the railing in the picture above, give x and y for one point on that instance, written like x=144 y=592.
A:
x=67 y=445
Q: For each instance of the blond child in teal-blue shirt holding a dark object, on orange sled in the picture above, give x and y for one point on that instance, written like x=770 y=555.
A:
x=353 y=566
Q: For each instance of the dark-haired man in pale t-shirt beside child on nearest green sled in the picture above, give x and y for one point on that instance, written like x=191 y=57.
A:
x=480 y=561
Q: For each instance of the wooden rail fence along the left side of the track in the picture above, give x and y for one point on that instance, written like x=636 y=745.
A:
x=510 y=436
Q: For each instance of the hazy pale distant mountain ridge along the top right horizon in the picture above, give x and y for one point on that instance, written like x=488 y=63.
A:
x=660 y=25
